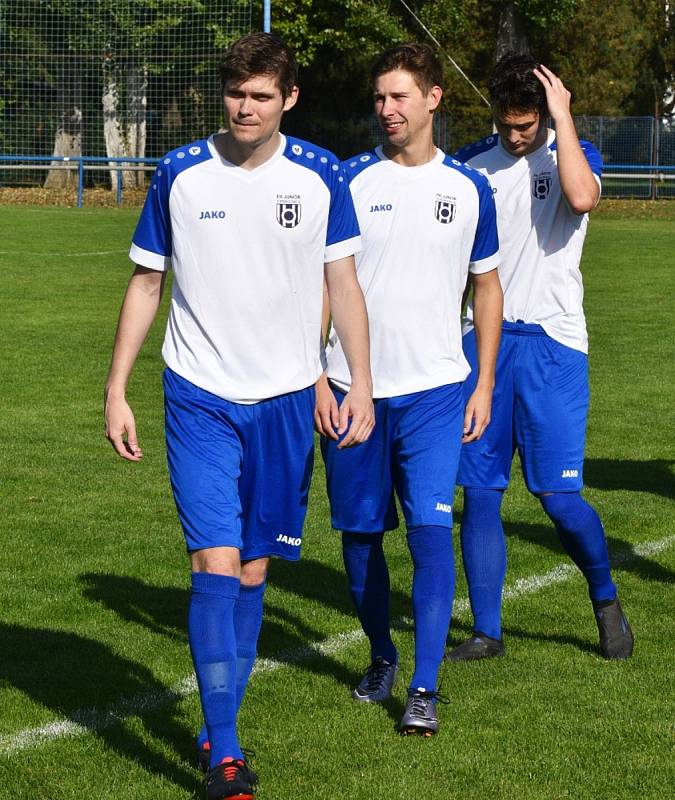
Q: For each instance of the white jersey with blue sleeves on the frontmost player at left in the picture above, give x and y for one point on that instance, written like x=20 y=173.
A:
x=247 y=248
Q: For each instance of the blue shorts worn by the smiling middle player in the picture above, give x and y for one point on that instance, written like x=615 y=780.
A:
x=413 y=450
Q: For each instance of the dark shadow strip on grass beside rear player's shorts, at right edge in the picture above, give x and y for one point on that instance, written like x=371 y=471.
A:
x=654 y=476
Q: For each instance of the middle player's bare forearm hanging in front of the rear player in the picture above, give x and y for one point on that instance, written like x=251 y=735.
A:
x=488 y=304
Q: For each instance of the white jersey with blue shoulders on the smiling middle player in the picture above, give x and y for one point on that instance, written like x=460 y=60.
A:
x=423 y=228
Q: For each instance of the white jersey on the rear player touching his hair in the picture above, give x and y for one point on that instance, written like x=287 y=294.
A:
x=540 y=237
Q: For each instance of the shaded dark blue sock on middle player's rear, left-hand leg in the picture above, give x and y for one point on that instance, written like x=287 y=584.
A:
x=368 y=578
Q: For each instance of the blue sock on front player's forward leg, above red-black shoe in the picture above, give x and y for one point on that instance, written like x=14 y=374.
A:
x=213 y=646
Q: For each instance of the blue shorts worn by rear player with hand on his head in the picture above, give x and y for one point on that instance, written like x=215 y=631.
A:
x=539 y=407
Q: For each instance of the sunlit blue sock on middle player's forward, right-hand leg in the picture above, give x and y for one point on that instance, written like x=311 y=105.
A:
x=433 y=591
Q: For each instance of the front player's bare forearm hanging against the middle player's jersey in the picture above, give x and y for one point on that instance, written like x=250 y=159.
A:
x=349 y=316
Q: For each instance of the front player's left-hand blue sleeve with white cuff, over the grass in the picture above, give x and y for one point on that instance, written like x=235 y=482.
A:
x=151 y=244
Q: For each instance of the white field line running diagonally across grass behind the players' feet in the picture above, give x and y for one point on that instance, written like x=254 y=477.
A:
x=92 y=720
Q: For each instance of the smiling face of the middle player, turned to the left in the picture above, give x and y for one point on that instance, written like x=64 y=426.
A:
x=404 y=111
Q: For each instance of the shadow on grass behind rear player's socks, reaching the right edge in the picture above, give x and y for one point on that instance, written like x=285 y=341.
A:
x=622 y=554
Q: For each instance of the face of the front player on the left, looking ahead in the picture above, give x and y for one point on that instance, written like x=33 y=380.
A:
x=253 y=109
